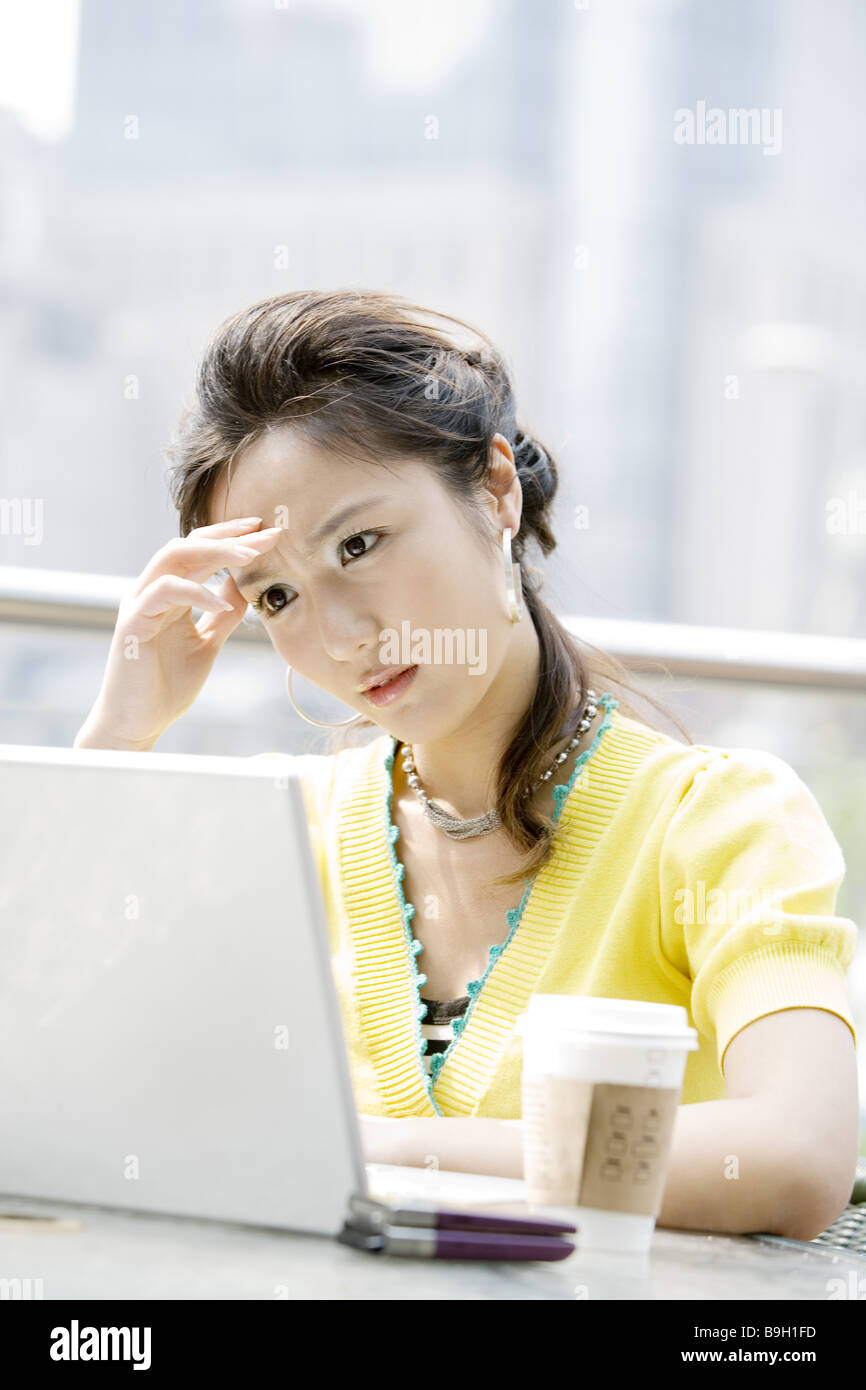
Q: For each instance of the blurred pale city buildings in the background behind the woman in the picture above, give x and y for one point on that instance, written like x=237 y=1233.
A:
x=686 y=319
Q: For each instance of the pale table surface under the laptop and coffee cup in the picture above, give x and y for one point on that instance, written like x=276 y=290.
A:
x=109 y=1253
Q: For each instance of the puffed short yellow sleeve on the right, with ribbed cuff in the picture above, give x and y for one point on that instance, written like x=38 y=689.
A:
x=749 y=879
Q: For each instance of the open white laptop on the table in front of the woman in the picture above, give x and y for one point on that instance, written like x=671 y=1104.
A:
x=170 y=1035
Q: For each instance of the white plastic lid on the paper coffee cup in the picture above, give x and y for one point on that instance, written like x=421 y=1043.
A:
x=598 y=1015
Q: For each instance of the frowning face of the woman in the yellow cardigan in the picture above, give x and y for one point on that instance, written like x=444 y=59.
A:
x=377 y=568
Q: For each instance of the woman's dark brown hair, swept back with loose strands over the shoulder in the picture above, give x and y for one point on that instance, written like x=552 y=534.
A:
x=370 y=375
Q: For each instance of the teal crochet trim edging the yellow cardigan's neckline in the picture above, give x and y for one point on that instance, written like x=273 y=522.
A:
x=514 y=915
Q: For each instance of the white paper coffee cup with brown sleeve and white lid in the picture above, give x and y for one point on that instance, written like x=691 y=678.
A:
x=603 y=1081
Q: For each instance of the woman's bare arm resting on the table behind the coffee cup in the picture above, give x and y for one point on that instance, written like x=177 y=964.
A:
x=744 y=1164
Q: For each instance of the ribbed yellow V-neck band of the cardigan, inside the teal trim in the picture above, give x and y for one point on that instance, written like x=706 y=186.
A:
x=389 y=983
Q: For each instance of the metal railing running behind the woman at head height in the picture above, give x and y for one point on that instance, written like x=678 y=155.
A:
x=73 y=601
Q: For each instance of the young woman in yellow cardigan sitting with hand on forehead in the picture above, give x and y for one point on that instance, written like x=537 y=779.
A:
x=355 y=465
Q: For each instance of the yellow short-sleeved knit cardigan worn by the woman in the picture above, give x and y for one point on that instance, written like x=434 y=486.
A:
x=682 y=874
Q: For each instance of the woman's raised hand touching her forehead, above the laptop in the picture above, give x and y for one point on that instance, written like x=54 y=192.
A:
x=159 y=658
